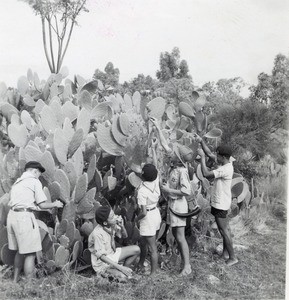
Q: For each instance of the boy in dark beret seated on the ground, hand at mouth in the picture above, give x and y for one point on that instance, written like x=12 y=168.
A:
x=105 y=257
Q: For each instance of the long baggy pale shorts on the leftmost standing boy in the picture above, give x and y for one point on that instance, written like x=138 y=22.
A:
x=23 y=232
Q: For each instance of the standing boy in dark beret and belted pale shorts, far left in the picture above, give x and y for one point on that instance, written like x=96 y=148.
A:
x=23 y=231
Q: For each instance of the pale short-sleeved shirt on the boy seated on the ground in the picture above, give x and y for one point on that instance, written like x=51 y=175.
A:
x=99 y=243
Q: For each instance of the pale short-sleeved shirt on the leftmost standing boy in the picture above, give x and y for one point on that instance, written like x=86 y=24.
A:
x=27 y=192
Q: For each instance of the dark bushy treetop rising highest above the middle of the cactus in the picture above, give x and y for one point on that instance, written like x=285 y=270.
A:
x=172 y=67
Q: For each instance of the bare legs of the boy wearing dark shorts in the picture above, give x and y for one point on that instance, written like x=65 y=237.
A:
x=227 y=240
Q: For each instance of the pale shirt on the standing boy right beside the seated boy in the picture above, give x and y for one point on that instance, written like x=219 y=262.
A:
x=149 y=193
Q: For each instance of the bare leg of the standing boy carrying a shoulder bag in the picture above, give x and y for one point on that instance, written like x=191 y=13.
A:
x=179 y=234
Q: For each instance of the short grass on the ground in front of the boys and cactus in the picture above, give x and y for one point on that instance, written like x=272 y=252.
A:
x=260 y=274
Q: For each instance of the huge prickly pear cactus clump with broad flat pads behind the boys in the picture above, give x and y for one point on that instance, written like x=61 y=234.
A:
x=89 y=139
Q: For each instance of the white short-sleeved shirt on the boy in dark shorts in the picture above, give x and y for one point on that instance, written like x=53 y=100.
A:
x=221 y=196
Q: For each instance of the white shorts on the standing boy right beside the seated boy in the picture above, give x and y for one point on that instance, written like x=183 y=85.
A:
x=151 y=223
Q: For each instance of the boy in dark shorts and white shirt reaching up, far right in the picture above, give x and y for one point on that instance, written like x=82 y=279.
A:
x=221 y=197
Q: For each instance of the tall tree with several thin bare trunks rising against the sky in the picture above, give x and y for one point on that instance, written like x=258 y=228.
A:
x=58 y=18
